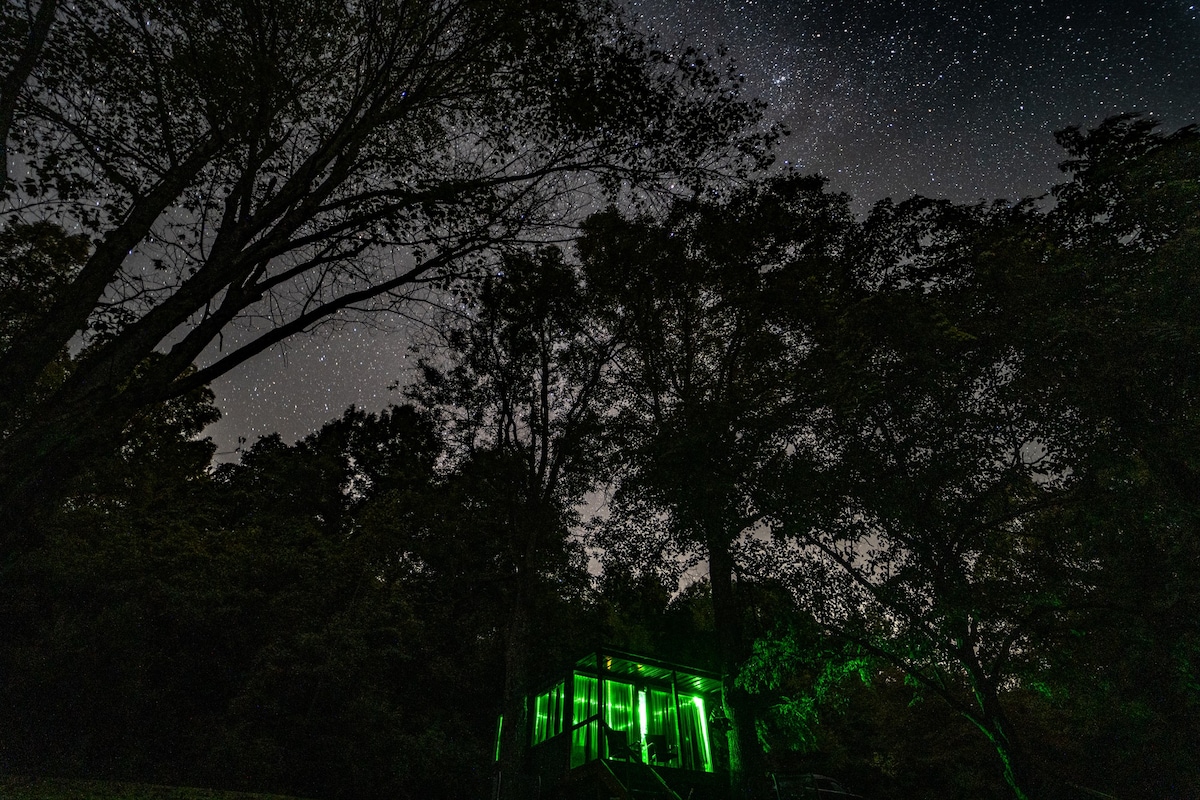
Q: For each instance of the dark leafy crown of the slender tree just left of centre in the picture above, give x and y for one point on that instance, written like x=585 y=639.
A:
x=526 y=372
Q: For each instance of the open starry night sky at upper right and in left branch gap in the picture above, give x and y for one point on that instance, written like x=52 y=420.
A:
x=885 y=98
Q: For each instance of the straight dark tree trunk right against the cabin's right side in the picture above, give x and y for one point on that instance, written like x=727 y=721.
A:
x=746 y=753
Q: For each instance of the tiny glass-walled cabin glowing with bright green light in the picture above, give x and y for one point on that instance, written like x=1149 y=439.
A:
x=620 y=725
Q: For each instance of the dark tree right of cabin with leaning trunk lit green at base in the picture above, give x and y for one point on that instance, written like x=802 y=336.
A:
x=922 y=506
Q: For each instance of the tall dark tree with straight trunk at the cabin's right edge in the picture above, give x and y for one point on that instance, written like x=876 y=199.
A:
x=712 y=305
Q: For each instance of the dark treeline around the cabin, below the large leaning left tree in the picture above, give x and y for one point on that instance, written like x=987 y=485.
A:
x=941 y=467
